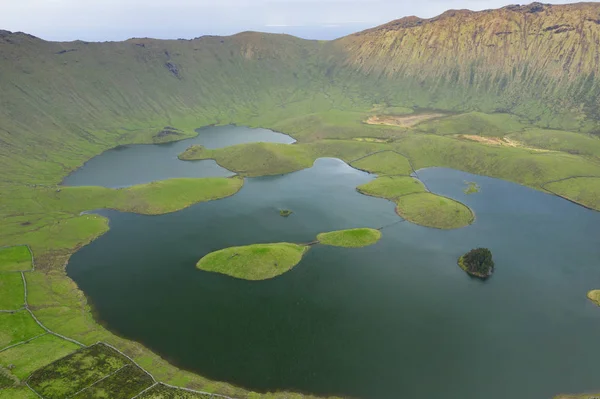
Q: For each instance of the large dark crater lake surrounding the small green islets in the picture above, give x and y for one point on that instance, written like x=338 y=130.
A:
x=398 y=319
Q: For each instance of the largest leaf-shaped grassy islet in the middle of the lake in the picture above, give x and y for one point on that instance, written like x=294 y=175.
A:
x=254 y=262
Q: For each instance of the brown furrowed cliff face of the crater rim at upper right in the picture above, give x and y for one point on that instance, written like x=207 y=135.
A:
x=548 y=51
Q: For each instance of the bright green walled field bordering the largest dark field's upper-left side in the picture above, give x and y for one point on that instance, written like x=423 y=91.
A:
x=29 y=357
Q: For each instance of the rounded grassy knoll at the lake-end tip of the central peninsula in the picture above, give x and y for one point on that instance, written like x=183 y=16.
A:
x=430 y=210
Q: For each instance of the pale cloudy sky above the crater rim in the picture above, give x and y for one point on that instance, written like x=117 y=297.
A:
x=107 y=20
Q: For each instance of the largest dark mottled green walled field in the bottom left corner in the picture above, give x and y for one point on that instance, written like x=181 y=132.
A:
x=71 y=374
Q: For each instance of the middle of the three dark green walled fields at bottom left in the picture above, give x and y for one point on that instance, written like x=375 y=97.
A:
x=124 y=384
